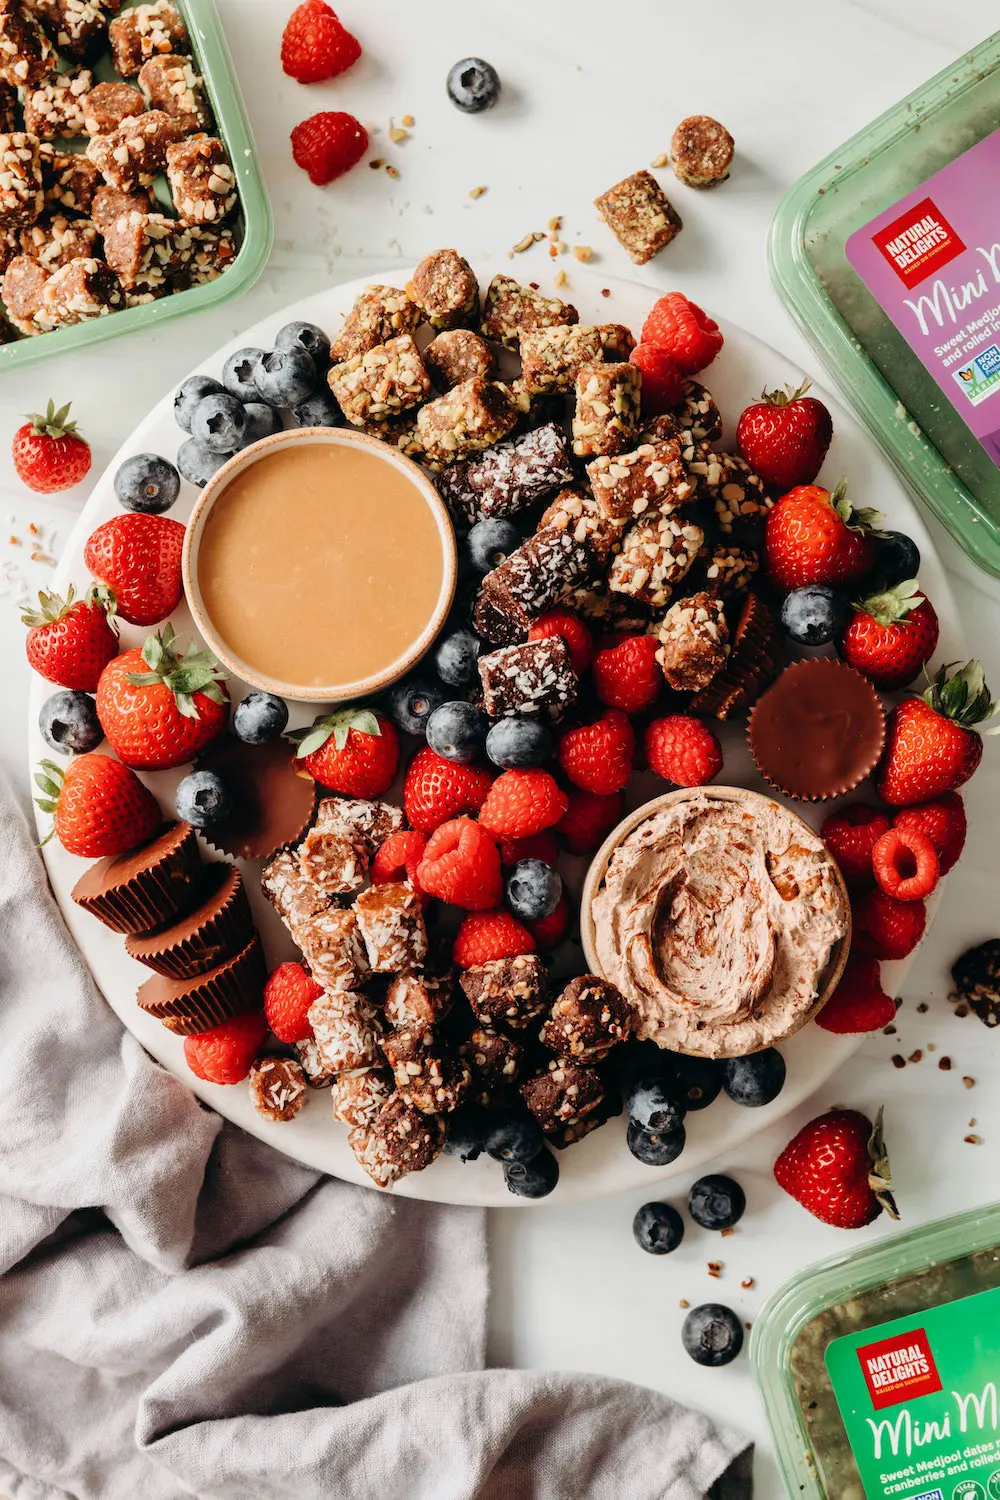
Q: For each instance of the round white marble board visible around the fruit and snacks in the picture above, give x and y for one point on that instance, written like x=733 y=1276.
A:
x=600 y=1165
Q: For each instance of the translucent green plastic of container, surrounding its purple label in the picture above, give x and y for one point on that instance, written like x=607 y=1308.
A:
x=908 y=410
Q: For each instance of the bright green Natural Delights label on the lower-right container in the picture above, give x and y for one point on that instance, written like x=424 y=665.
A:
x=920 y=1399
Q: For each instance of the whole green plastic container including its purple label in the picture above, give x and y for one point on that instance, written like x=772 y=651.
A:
x=888 y=256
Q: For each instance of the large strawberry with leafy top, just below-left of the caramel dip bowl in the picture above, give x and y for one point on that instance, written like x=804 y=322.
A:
x=160 y=707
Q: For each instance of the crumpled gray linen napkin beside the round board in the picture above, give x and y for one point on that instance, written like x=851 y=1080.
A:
x=185 y=1312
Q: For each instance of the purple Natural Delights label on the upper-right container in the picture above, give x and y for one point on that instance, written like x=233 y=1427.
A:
x=933 y=265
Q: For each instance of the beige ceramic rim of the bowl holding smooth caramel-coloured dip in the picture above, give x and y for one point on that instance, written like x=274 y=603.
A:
x=335 y=692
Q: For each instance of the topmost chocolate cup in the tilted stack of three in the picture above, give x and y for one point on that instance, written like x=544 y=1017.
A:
x=140 y=892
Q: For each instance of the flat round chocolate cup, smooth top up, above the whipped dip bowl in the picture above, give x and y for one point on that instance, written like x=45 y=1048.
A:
x=818 y=731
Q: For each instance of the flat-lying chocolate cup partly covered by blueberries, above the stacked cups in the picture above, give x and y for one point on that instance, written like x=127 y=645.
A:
x=272 y=805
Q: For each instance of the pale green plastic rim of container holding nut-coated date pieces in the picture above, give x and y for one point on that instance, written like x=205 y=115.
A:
x=253 y=221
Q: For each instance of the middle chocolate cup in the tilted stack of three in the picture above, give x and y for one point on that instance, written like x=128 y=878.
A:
x=217 y=931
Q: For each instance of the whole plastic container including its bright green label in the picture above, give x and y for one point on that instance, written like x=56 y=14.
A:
x=881 y=1369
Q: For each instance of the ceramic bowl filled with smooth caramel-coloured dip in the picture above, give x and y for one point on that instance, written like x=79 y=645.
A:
x=320 y=565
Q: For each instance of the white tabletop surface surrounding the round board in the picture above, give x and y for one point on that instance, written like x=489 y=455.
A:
x=593 y=94
